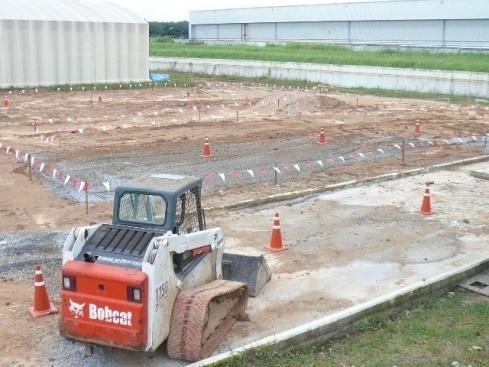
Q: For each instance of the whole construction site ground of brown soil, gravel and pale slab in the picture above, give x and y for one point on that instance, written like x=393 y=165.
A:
x=345 y=247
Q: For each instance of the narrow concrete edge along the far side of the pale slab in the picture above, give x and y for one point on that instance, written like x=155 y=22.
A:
x=350 y=184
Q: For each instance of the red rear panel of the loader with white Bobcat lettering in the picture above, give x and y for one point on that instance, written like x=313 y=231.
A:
x=105 y=304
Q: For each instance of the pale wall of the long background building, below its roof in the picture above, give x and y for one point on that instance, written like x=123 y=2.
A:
x=423 y=33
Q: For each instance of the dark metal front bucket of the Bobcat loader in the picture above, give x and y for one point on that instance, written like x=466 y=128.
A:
x=250 y=269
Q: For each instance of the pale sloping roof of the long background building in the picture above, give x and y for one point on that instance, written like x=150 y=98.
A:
x=348 y=11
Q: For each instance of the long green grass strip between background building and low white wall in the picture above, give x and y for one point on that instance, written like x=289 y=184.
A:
x=325 y=54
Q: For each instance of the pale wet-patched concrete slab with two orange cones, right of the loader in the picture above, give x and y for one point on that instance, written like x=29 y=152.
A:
x=350 y=247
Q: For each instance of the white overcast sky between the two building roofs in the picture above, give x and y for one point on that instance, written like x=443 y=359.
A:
x=173 y=11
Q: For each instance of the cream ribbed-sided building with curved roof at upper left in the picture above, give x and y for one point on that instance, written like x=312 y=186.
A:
x=57 y=42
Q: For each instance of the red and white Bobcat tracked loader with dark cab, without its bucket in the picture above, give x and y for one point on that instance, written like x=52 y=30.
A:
x=154 y=274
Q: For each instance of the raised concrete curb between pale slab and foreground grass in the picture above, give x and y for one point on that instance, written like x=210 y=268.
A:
x=340 y=323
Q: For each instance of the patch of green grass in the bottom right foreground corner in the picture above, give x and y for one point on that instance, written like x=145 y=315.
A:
x=439 y=332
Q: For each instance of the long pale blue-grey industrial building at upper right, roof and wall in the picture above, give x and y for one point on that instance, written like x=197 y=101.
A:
x=417 y=23
